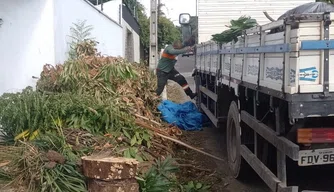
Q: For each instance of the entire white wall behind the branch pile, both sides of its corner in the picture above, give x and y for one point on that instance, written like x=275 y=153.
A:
x=35 y=32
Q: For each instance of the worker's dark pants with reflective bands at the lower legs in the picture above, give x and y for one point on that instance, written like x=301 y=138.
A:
x=173 y=75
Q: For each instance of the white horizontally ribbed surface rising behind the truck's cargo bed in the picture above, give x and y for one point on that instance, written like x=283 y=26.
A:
x=214 y=15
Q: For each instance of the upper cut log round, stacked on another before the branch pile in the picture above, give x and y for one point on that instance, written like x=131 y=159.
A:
x=109 y=168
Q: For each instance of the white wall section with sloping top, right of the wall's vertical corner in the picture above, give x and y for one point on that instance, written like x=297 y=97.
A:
x=106 y=31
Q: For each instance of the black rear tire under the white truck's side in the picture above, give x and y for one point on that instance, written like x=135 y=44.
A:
x=233 y=138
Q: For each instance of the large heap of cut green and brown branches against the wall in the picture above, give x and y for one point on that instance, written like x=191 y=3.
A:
x=91 y=104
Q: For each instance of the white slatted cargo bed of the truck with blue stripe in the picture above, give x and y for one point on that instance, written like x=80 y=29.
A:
x=295 y=57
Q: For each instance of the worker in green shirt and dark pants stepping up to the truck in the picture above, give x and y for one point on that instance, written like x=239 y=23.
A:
x=166 y=68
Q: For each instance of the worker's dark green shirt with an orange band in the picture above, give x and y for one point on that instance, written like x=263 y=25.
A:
x=165 y=64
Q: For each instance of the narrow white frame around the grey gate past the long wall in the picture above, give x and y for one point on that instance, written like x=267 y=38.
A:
x=136 y=41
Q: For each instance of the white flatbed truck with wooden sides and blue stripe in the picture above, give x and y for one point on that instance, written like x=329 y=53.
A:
x=274 y=95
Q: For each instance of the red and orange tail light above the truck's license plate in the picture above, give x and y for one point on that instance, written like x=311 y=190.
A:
x=315 y=135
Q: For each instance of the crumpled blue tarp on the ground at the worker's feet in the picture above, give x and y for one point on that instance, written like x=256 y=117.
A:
x=185 y=115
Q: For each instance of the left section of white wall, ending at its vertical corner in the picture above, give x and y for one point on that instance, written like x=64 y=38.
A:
x=26 y=41
